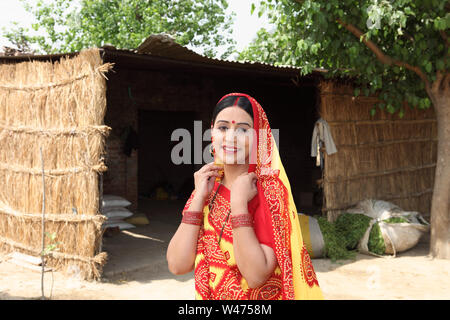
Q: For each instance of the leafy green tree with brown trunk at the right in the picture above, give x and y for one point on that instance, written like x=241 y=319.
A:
x=397 y=50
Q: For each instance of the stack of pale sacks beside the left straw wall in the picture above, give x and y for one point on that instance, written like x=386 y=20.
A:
x=114 y=208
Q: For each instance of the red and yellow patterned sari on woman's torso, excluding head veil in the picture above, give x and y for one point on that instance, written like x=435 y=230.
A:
x=217 y=276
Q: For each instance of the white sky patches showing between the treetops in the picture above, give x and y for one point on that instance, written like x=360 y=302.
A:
x=244 y=30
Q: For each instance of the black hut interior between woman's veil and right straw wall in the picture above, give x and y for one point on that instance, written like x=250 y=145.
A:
x=294 y=111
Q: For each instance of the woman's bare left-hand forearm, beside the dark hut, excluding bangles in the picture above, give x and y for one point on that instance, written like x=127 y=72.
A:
x=182 y=248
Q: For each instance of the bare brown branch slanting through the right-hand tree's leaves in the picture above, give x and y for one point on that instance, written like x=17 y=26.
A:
x=381 y=56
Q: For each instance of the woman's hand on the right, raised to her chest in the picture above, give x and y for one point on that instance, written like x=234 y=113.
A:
x=243 y=190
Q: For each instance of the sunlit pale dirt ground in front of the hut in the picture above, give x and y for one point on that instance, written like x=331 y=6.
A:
x=411 y=275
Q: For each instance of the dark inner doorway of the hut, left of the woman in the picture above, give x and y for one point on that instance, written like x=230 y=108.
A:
x=163 y=184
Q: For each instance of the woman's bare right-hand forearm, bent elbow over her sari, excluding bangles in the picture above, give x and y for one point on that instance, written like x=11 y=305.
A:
x=255 y=261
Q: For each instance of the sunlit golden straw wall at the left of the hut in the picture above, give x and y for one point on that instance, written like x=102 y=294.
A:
x=58 y=107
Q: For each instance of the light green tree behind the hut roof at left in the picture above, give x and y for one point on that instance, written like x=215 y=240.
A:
x=69 y=25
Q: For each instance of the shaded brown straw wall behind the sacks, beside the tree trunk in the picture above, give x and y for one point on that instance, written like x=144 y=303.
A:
x=381 y=157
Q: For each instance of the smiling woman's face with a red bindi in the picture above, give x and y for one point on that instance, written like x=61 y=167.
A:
x=233 y=135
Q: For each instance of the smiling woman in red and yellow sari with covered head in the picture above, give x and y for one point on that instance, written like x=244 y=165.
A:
x=242 y=235
